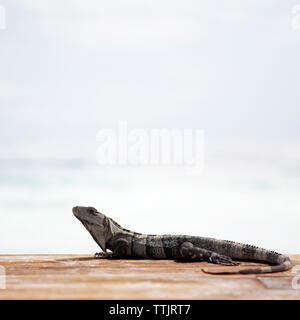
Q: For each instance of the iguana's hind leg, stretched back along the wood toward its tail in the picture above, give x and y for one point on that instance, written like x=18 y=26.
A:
x=190 y=252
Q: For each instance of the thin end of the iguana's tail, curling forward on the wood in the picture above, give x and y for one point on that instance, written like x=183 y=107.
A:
x=283 y=264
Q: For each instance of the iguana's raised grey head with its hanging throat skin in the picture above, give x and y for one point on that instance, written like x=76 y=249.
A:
x=95 y=222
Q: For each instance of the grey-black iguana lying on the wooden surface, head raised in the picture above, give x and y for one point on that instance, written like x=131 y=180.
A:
x=125 y=243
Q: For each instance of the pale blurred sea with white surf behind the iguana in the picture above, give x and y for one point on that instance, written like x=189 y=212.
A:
x=248 y=191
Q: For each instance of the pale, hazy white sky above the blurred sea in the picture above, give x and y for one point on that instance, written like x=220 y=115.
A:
x=70 y=68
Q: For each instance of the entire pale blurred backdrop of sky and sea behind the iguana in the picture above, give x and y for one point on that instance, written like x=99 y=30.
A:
x=71 y=68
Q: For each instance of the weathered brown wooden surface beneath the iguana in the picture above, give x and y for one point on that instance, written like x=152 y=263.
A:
x=83 y=277
